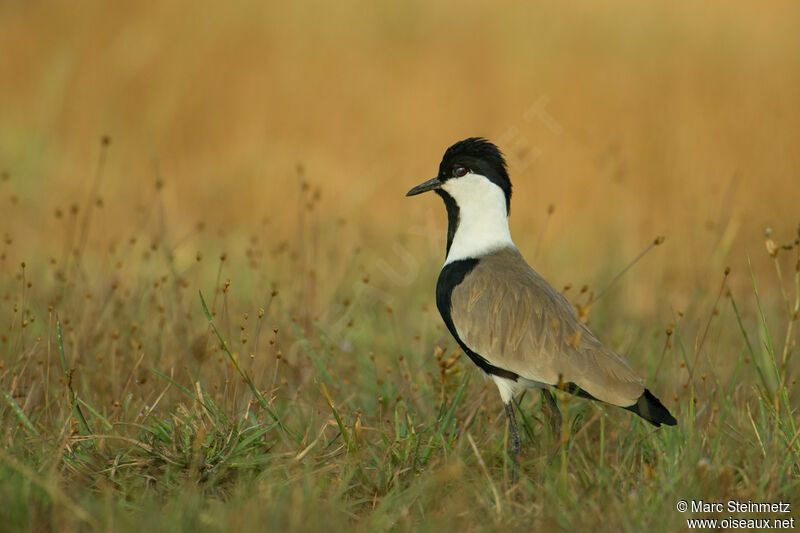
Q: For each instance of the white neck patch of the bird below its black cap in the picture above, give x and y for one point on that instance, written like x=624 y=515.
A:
x=483 y=219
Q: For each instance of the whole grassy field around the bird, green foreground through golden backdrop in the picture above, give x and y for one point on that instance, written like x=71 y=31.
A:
x=259 y=155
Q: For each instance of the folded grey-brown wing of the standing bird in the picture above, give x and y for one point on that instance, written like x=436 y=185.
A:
x=507 y=313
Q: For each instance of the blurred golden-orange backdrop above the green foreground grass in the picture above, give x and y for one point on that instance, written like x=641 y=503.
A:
x=632 y=119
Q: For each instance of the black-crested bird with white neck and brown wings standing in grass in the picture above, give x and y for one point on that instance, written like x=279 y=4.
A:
x=517 y=328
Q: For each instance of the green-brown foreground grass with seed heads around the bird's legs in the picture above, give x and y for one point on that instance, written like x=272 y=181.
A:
x=129 y=402
